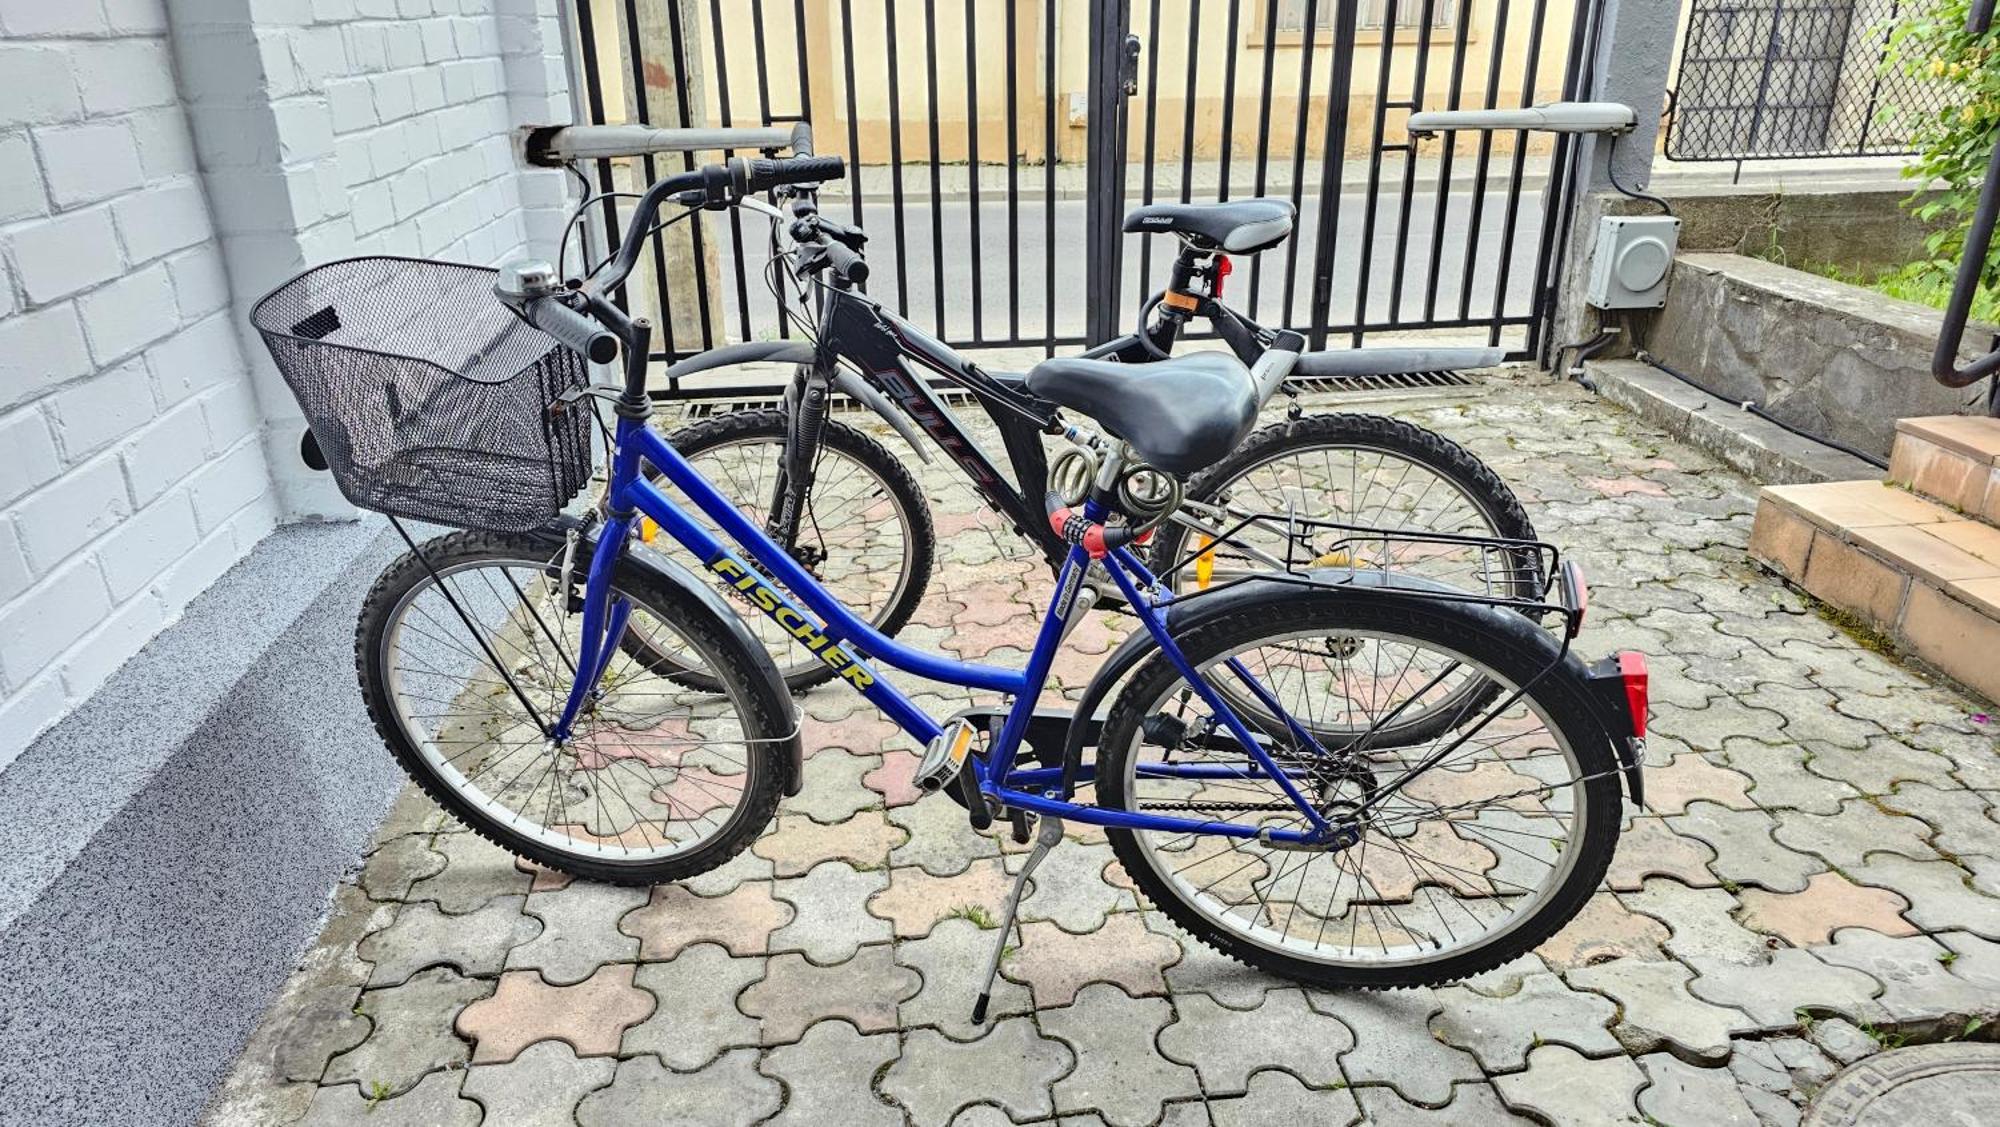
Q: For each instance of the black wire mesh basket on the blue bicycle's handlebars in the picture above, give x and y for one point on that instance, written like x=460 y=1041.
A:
x=427 y=397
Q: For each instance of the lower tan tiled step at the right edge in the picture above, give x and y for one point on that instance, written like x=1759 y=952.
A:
x=1921 y=574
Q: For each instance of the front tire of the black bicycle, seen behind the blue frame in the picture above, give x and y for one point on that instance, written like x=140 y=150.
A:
x=769 y=427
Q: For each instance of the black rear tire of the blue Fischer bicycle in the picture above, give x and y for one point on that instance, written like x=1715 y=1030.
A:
x=1509 y=646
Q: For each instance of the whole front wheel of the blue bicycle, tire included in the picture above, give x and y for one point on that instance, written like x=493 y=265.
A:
x=467 y=656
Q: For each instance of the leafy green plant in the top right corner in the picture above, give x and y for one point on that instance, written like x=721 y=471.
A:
x=1957 y=141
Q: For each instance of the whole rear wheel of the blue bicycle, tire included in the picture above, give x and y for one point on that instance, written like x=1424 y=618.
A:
x=1459 y=868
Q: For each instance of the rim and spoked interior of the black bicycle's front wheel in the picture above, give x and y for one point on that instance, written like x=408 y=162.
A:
x=855 y=521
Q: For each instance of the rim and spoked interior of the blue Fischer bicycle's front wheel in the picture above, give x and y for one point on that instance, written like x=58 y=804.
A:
x=655 y=770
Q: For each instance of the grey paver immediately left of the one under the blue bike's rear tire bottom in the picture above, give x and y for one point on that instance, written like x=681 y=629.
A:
x=1227 y=1046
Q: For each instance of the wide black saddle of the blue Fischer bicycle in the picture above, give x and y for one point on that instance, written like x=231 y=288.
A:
x=1177 y=415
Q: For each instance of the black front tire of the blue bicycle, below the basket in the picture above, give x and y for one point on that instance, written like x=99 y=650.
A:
x=767 y=714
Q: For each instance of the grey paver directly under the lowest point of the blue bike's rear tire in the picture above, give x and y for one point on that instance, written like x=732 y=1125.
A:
x=1393 y=1044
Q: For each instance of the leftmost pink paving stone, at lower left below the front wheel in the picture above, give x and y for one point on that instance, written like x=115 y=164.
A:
x=589 y=1016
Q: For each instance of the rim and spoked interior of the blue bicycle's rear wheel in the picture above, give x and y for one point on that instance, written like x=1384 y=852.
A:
x=1437 y=870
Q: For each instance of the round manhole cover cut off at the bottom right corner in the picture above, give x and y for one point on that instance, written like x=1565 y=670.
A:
x=1925 y=1084
